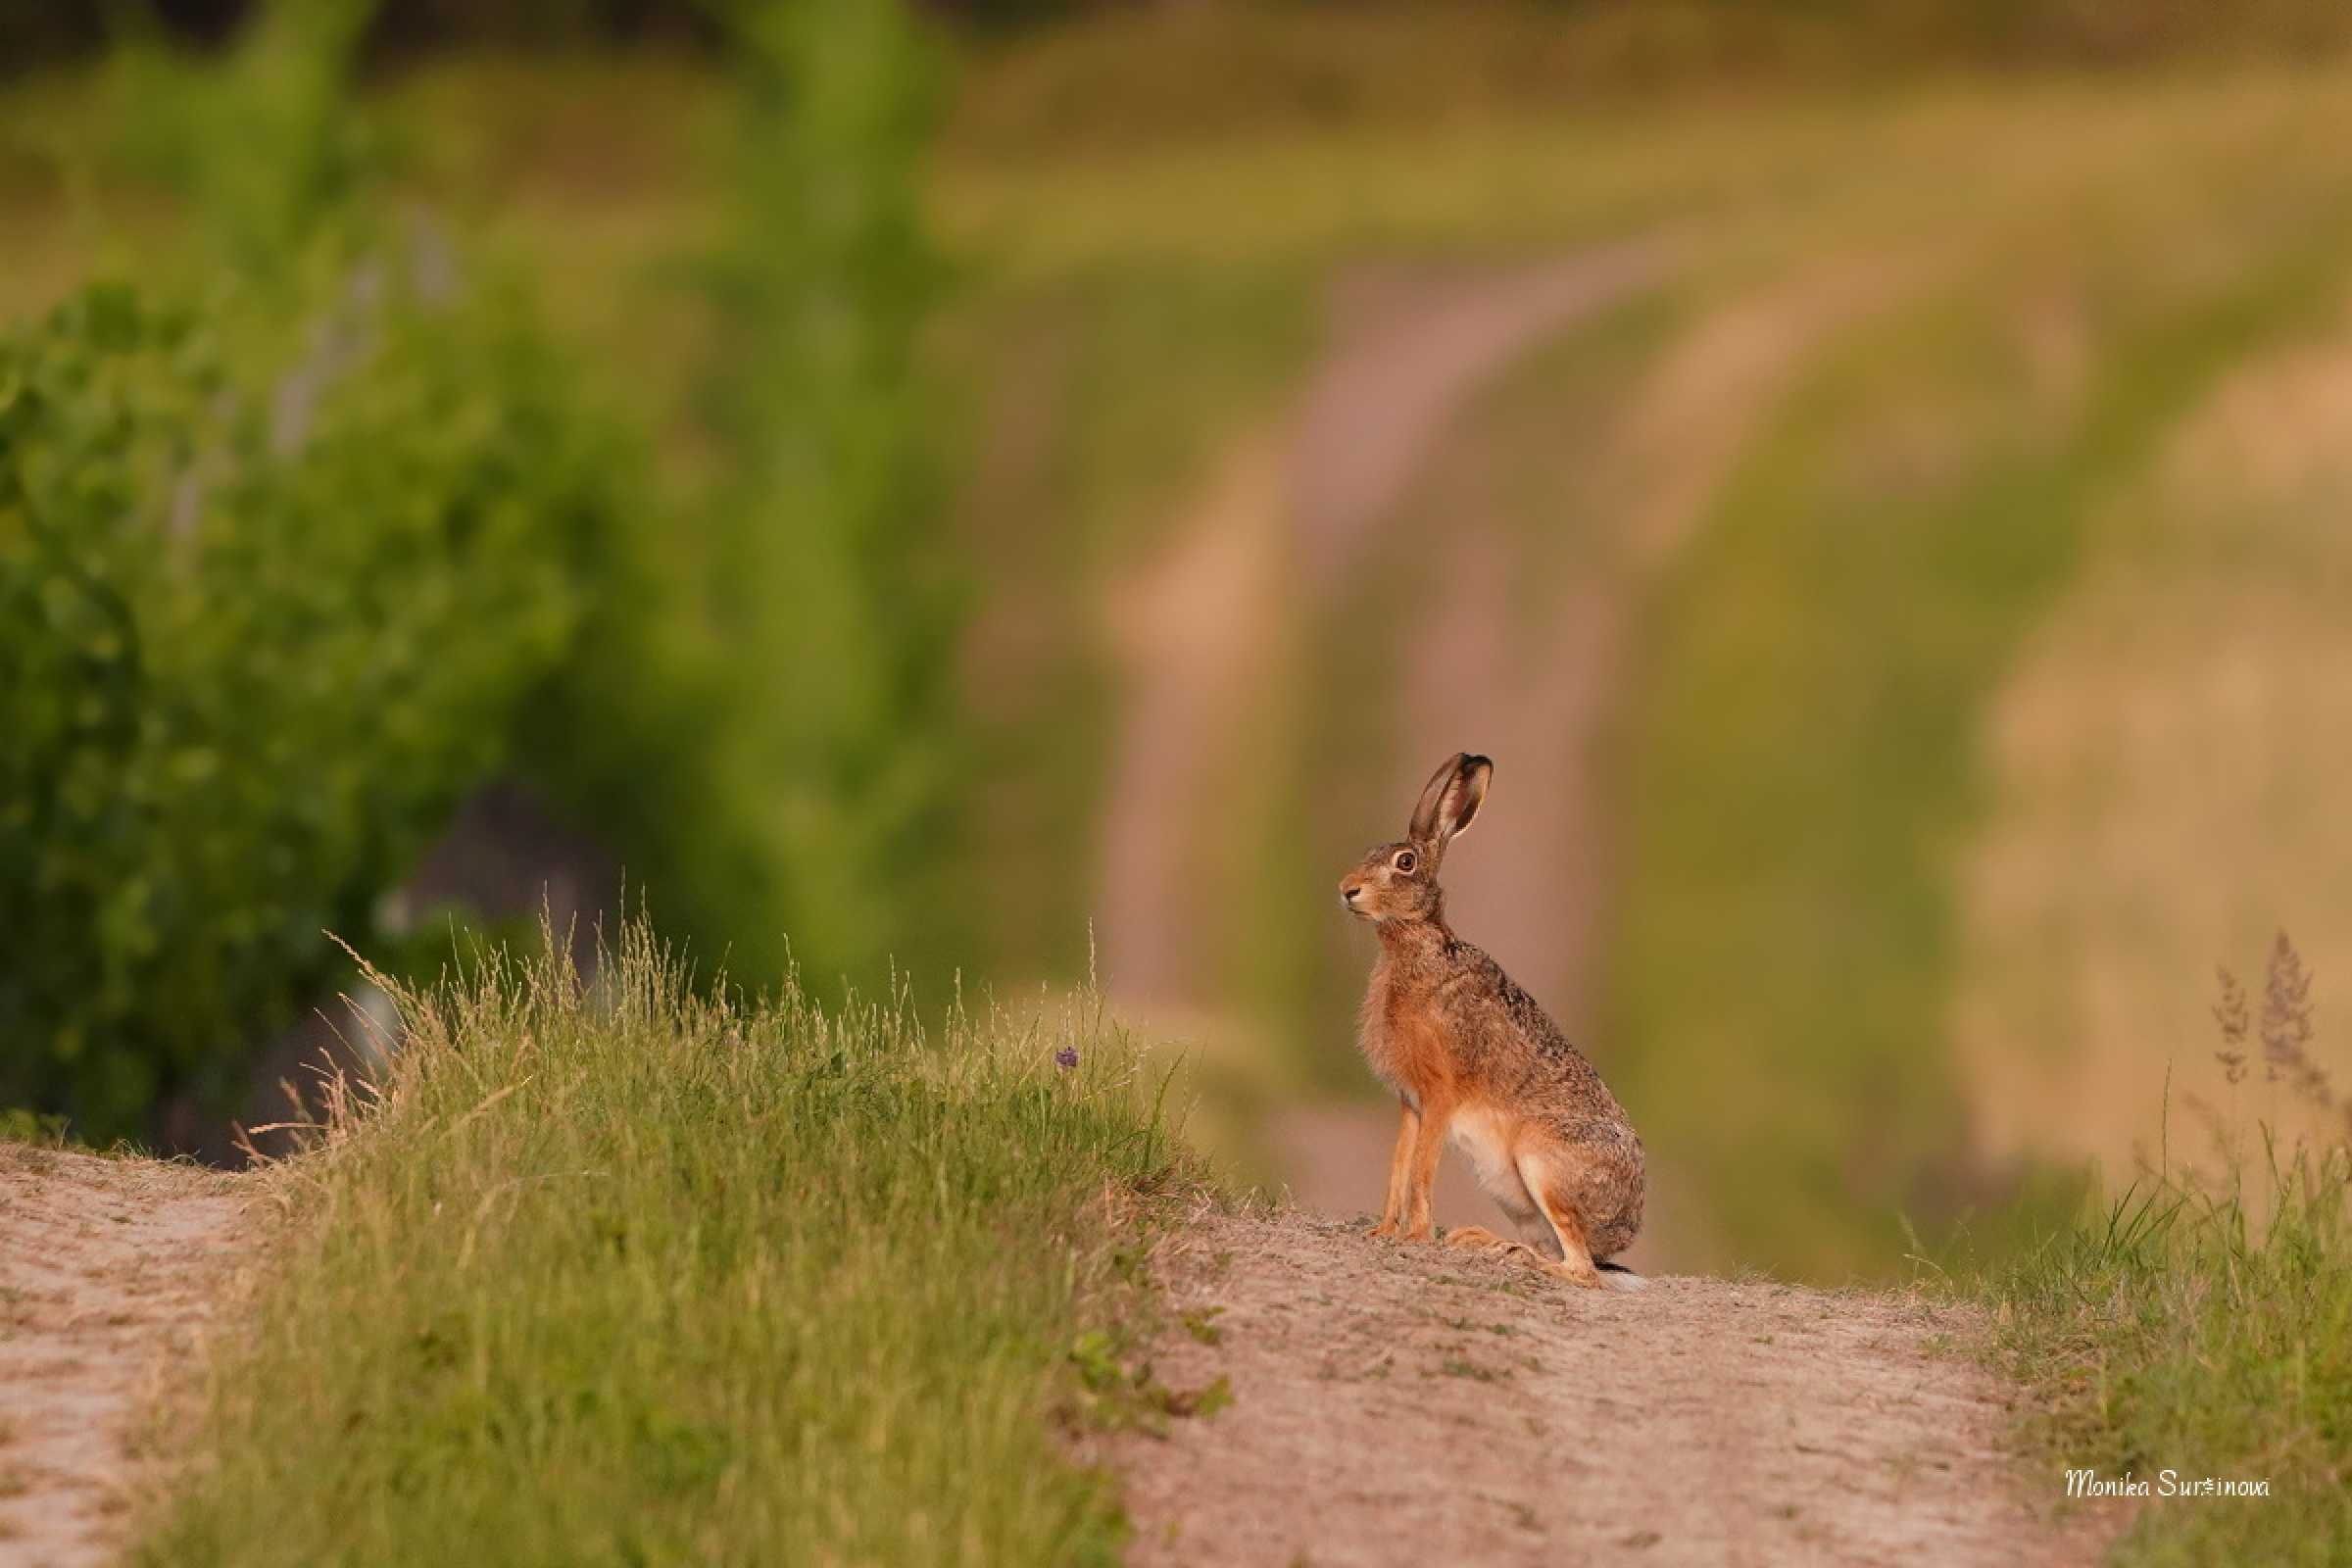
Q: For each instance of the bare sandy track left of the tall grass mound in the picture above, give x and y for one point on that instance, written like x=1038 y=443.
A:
x=109 y=1268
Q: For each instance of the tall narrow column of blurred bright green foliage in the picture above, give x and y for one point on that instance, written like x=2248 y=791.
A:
x=831 y=591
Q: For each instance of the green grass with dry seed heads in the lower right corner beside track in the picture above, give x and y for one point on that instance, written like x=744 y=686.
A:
x=2203 y=1325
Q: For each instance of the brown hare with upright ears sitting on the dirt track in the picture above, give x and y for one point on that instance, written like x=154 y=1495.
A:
x=1471 y=1054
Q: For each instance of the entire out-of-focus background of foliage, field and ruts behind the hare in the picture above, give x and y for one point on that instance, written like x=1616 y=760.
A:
x=1013 y=490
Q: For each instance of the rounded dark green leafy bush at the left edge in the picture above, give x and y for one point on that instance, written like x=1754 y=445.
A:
x=255 y=638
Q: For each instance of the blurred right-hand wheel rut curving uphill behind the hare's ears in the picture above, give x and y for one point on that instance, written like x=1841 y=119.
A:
x=1546 y=699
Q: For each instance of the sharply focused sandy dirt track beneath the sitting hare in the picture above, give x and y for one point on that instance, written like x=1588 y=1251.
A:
x=1405 y=1405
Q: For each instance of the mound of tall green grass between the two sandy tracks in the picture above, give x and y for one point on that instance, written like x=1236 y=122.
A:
x=634 y=1275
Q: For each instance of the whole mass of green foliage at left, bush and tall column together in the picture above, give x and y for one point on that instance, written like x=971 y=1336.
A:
x=316 y=530
